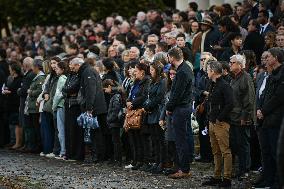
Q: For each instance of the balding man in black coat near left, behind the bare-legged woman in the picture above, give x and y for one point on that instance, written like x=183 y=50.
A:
x=22 y=92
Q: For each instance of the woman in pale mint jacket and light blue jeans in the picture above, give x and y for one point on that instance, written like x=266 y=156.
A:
x=58 y=106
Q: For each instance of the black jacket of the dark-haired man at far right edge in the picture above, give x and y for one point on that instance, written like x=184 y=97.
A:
x=273 y=104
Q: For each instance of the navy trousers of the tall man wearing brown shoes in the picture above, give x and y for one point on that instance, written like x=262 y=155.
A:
x=183 y=132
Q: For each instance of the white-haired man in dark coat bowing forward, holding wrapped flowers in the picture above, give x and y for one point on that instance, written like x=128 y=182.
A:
x=92 y=101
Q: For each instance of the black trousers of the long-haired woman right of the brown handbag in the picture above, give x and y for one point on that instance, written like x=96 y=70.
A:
x=158 y=140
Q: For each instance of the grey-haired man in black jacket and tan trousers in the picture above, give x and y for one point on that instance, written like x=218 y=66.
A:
x=221 y=103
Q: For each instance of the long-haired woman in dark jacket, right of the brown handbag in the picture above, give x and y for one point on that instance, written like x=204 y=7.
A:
x=157 y=91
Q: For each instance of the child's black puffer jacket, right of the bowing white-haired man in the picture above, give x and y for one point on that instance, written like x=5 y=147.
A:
x=115 y=106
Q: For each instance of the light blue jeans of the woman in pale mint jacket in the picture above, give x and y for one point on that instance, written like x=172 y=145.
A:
x=60 y=118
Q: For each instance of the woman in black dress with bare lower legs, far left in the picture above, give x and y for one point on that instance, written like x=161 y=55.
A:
x=13 y=103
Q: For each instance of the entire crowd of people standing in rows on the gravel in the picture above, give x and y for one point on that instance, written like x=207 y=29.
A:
x=223 y=65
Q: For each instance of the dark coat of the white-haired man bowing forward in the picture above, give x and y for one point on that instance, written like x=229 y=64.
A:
x=91 y=89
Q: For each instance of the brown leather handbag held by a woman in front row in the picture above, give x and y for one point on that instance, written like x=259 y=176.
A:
x=133 y=119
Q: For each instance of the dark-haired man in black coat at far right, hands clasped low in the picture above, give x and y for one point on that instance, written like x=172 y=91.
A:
x=272 y=112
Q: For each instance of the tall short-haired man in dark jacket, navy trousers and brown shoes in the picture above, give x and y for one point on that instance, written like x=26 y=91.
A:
x=179 y=106
